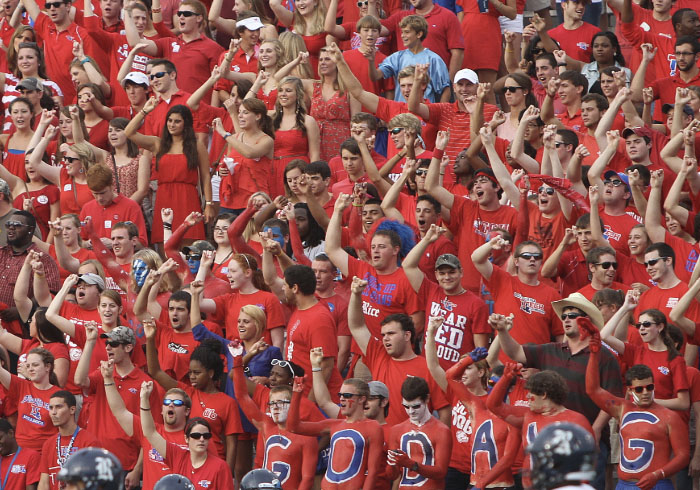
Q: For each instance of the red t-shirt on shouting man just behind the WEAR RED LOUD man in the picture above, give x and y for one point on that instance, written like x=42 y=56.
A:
x=471 y=225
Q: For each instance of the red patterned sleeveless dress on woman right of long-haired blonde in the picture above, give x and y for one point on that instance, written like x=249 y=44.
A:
x=333 y=118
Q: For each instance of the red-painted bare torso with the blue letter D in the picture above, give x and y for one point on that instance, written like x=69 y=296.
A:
x=428 y=444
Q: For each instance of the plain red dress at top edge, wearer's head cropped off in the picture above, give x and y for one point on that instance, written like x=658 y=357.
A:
x=482 y=37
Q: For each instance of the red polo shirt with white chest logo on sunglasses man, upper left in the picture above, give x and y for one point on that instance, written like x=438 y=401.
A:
x=194 y=60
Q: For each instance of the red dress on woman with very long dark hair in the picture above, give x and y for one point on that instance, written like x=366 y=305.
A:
x=177 y=189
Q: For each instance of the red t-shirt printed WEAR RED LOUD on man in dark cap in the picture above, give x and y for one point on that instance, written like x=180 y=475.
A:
x=465 y=315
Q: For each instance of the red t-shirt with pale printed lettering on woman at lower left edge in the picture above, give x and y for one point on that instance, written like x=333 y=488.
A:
x=34 y=424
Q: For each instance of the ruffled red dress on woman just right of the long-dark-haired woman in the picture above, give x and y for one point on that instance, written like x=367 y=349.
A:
x=250 y=175
